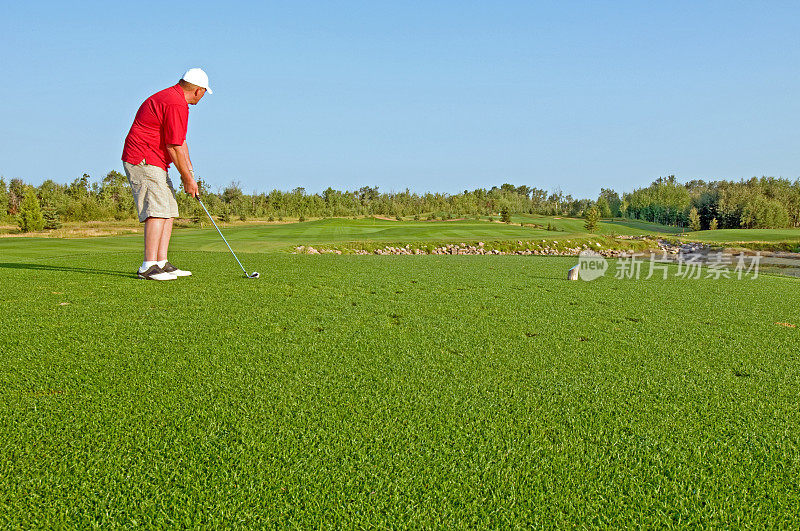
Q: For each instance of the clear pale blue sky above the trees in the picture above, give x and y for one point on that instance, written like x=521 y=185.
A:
x=433 y=96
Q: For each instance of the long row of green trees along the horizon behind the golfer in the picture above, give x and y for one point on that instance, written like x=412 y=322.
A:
x=764 y=202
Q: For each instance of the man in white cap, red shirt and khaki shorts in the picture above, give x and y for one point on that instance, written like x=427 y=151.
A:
x=156 y=139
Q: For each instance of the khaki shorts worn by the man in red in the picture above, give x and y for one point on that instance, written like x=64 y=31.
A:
x=152 y=191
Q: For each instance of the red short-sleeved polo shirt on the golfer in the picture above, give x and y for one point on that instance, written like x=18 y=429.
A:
x=161 y=120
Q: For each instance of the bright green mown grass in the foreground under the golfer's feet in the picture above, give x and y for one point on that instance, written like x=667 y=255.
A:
x=344 y=391
